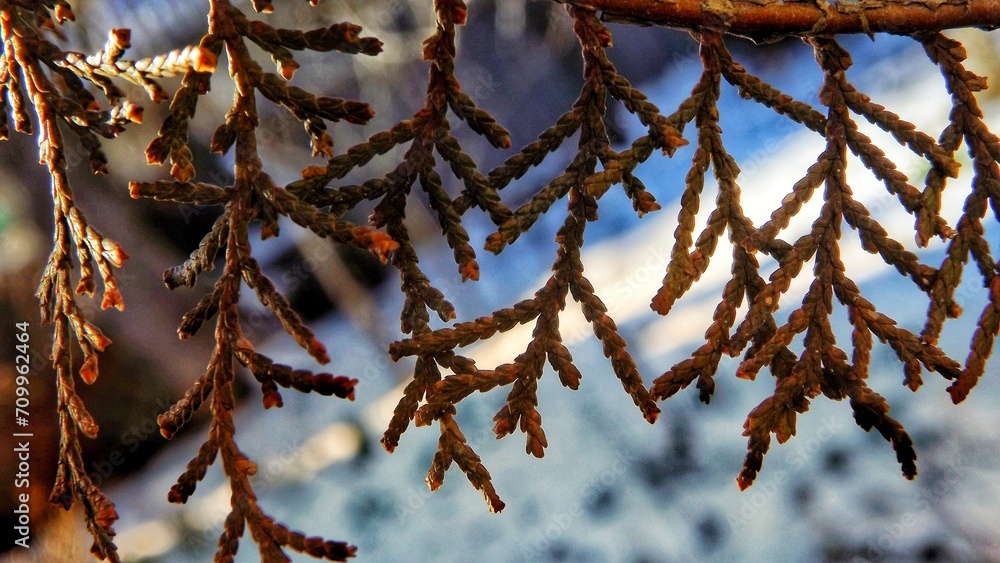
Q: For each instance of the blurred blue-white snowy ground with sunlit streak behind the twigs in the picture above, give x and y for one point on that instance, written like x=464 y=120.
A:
x=611 y=487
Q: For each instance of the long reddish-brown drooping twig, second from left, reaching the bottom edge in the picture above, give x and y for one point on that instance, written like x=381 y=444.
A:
x=253 y=196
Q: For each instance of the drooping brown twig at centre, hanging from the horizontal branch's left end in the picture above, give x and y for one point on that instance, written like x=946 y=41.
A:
x=581 y=185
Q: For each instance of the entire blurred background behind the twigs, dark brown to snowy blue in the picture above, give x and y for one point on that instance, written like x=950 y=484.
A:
x=611 y=487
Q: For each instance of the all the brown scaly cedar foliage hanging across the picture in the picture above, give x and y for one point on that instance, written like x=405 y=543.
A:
x=50 y=92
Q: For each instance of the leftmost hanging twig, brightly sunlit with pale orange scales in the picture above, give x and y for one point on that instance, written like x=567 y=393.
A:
x=44 y=89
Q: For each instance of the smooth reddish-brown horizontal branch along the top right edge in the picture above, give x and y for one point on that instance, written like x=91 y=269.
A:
x=769 y=19
